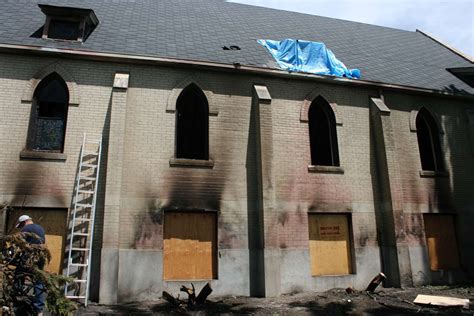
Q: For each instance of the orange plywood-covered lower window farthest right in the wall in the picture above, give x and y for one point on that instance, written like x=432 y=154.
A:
x=441 y=241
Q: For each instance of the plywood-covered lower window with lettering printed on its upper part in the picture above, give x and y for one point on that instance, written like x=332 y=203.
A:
x=329 y=244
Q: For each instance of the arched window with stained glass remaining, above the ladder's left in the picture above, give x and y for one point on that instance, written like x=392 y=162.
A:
x=48 y=123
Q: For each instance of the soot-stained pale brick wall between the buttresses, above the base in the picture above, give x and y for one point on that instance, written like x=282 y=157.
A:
x=149 y=185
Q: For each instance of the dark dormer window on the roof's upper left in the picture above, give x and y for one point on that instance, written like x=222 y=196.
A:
x=67 y=23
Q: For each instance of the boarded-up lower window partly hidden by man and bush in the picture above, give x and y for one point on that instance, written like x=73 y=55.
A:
x=54 y=222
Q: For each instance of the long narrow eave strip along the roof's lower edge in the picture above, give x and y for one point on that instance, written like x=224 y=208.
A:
x=221 y=66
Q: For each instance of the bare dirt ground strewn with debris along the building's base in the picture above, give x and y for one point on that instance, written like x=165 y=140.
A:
x=386 y=301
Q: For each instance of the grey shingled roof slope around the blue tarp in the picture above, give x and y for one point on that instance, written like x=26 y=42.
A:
x=197 y=30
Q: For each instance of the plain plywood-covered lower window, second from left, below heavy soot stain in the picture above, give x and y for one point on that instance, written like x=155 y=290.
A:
x=190 y=246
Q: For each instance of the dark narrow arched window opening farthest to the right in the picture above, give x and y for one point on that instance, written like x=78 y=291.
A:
x=428 y=141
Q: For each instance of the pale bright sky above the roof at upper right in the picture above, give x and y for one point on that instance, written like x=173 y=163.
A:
x=451 y=21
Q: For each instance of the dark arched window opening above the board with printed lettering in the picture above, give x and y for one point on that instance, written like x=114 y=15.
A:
x=322 y=134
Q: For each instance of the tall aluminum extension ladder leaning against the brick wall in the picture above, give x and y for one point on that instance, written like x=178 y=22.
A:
x=82 y=224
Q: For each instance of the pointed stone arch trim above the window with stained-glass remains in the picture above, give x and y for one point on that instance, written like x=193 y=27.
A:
x=29 y=90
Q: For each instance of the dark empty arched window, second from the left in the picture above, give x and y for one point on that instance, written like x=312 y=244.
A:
x=192 y=124
